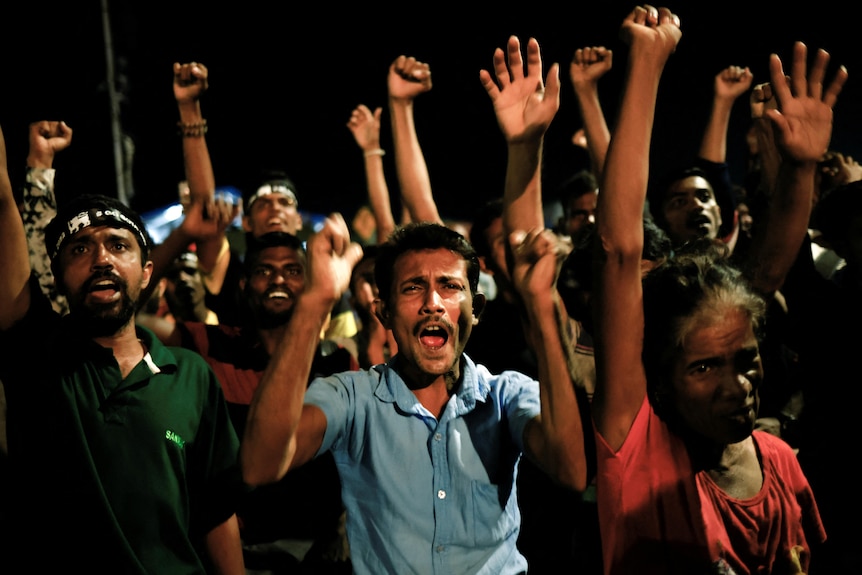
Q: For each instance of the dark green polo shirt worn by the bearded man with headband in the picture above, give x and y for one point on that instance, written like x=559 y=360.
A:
x=113 y=475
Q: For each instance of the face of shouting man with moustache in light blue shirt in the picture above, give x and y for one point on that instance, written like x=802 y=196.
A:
x=430 y=313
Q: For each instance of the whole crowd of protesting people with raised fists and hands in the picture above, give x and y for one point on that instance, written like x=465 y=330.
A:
x=653 y=380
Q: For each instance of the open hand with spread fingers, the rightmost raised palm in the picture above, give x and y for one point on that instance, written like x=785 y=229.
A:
x=803 y=116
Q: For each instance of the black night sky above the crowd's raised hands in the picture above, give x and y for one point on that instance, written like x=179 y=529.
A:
x=285 y=77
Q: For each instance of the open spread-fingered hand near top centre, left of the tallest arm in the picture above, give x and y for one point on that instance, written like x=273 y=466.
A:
x=523 y=103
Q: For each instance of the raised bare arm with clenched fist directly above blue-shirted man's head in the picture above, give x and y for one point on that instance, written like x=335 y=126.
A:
x=407 y=79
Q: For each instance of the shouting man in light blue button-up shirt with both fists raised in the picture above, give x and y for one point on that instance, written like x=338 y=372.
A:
x=427 y=445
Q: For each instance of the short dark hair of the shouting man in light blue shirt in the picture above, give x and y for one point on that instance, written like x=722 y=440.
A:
x=417 y=236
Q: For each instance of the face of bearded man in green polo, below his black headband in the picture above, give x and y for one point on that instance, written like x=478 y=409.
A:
x=102 y=275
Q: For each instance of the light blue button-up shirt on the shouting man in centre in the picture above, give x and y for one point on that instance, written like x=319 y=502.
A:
x=427 y=496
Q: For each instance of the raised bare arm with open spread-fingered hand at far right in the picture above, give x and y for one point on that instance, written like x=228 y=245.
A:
x=802 y=124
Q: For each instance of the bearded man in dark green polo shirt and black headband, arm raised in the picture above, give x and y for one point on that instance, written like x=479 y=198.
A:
x=122 y=454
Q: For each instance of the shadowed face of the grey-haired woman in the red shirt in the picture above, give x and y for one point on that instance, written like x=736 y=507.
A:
x=716 y=375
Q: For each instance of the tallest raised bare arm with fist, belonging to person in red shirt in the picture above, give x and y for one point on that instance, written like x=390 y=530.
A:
x=618 y=296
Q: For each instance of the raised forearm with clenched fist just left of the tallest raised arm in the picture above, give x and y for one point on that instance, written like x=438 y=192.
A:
x=587 y=67
